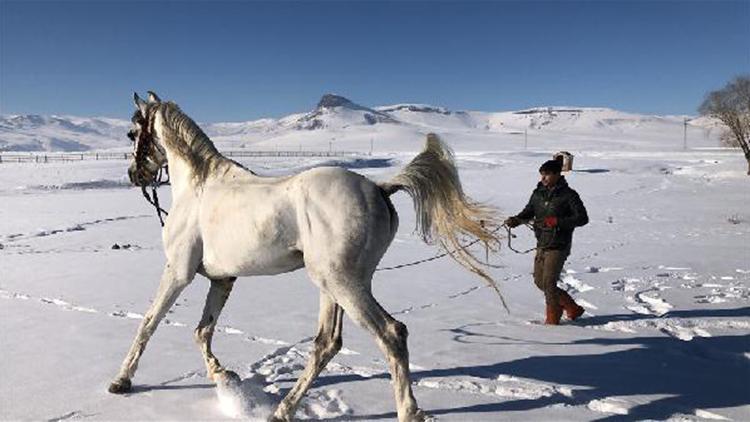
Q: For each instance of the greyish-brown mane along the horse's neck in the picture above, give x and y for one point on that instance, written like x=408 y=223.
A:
x=187 y=139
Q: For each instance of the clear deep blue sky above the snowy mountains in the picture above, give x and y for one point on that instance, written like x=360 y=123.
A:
x=235 y=60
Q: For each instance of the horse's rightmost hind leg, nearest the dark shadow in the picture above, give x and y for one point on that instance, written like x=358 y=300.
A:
x=390 y=335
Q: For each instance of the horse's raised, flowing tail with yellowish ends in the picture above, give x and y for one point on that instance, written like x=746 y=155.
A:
x=444 y=214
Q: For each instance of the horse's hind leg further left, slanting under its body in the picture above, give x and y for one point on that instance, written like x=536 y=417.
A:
x=327 y=344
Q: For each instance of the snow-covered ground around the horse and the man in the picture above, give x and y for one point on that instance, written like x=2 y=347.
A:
x=663 y=270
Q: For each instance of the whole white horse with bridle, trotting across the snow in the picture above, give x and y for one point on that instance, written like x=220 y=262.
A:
x=225 y=222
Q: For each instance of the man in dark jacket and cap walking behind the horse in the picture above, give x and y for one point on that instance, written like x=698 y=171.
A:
x=556 y=210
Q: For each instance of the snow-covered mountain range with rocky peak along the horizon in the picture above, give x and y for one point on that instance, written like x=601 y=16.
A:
x=341 y=123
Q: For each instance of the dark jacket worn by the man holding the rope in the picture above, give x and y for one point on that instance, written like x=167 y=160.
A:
x=559 y=201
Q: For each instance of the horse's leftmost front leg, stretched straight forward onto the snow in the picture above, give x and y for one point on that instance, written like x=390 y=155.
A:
x=170 y=287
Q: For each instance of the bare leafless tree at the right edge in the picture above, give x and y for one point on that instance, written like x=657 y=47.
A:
x=731 y=105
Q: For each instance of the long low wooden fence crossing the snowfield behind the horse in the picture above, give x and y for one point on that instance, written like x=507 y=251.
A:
x=46 y=157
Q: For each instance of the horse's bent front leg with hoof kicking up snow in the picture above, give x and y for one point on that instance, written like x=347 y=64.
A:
x=218 y=294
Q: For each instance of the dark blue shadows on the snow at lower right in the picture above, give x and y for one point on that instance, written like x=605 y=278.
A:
x=704 y=373
